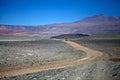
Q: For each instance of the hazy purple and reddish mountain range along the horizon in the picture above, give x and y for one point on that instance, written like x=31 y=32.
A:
x=93 y=25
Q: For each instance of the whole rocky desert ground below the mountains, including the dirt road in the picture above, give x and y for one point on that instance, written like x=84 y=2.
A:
x=88 y=58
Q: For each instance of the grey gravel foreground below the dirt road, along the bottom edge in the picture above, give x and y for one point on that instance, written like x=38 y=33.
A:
x=100 y=70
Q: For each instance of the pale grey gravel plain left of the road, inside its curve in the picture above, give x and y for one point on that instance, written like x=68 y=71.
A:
x=30 y=52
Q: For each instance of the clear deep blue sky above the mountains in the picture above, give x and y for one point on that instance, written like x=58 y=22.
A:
x=37 y=12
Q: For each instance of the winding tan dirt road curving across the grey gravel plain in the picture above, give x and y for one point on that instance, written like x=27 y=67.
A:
x=88 y=57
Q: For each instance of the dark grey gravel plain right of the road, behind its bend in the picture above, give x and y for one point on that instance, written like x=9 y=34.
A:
x=109 y=46
